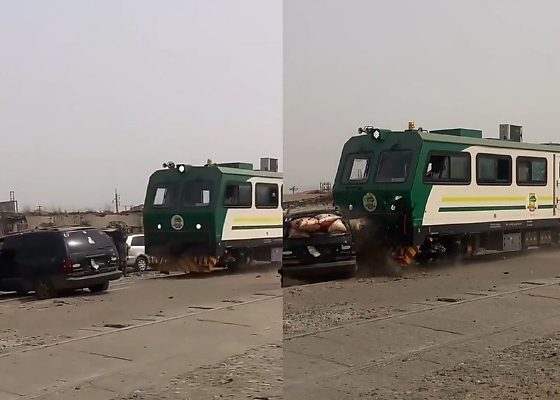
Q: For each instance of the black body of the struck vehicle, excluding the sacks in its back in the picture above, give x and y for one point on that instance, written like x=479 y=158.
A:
x=317 y=256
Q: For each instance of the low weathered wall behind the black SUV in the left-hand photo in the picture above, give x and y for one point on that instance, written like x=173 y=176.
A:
x=133 y=220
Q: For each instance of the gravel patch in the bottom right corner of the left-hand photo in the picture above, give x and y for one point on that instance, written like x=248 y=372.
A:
x=256 y=374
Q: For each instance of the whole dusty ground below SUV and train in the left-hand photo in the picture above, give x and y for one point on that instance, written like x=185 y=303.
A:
x=144 y=337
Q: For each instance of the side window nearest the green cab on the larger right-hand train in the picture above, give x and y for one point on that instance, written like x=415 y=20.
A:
x=448 y=168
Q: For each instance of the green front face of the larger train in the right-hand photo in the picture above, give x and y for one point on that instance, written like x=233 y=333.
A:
x=373 y=188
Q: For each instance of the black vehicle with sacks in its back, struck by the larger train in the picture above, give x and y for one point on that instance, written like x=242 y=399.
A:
x=317 y=243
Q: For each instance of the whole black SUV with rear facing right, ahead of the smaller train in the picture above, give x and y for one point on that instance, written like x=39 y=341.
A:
x=48 y=261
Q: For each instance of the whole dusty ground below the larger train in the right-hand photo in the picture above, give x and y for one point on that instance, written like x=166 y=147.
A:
x=394 y=339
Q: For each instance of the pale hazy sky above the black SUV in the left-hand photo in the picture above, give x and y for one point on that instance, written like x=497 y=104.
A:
x=96 y=95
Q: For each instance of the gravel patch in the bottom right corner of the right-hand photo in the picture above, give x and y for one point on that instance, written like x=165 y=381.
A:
x=530 y=370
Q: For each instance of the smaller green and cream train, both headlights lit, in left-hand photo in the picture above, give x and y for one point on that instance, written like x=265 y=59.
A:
x=213 y=216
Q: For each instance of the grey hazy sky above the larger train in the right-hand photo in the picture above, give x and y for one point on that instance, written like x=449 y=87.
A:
x=442 y=64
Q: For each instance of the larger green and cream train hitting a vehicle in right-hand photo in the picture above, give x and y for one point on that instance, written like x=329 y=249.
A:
x=424 y=195
